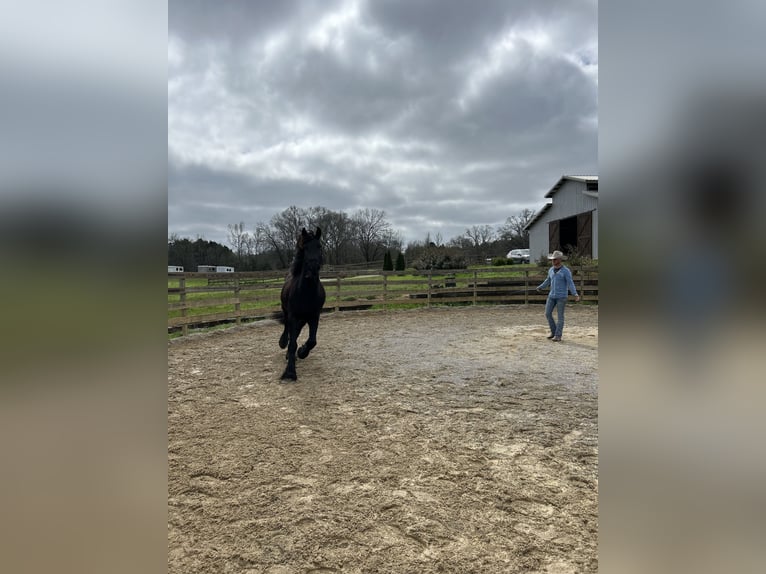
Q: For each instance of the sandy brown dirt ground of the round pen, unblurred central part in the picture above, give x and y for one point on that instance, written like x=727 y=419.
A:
x=431 y=440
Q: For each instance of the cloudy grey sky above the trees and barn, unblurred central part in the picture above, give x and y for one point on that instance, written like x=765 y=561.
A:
x=443 y=113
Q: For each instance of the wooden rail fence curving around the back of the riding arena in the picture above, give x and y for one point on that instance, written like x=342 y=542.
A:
x=197 y=300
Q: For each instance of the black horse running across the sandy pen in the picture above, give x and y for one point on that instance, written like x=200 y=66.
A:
x=302 y=299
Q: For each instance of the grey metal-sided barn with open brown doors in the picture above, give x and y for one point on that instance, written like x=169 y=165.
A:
x=569 y=221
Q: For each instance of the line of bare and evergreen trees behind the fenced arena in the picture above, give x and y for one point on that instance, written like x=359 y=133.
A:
x=364 y=236
